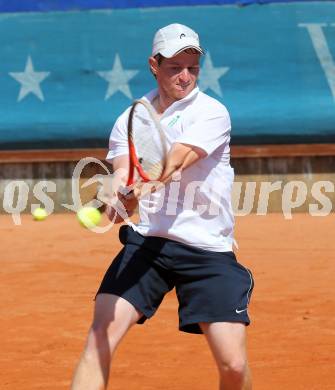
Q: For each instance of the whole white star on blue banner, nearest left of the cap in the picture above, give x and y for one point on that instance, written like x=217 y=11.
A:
x=118 y=79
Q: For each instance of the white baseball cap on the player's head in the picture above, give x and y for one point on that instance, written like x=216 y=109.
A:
x=173 y=39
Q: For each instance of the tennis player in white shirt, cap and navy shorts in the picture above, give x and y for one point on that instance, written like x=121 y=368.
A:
x=187 y=242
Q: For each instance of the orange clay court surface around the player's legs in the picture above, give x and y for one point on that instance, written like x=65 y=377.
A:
x=50 y=271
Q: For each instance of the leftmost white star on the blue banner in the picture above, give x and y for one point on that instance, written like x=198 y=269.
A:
x=29 y=80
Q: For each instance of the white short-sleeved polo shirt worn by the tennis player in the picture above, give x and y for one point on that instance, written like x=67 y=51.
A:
x=195 y=208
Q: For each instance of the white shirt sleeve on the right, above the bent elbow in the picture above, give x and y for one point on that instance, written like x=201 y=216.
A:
x=208 y=133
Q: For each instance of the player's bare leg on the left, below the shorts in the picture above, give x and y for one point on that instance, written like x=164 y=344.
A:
x=113 y=316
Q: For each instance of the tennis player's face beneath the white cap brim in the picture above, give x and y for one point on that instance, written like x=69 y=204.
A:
x=177 y=76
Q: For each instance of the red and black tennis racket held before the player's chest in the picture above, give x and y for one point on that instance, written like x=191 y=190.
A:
x=147 y=146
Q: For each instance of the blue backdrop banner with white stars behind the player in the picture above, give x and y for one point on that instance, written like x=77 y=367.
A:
x=66 y=76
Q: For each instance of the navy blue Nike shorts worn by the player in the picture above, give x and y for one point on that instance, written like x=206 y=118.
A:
x=210 y=286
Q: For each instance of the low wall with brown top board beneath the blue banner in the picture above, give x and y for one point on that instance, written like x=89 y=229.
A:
x=293 y=171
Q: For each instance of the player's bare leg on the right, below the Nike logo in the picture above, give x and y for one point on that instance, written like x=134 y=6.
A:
x=227 y=342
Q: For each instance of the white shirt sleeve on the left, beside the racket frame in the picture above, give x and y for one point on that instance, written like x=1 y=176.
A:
x=118 y=142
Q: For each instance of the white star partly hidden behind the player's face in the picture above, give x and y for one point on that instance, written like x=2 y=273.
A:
x=209 y=76
